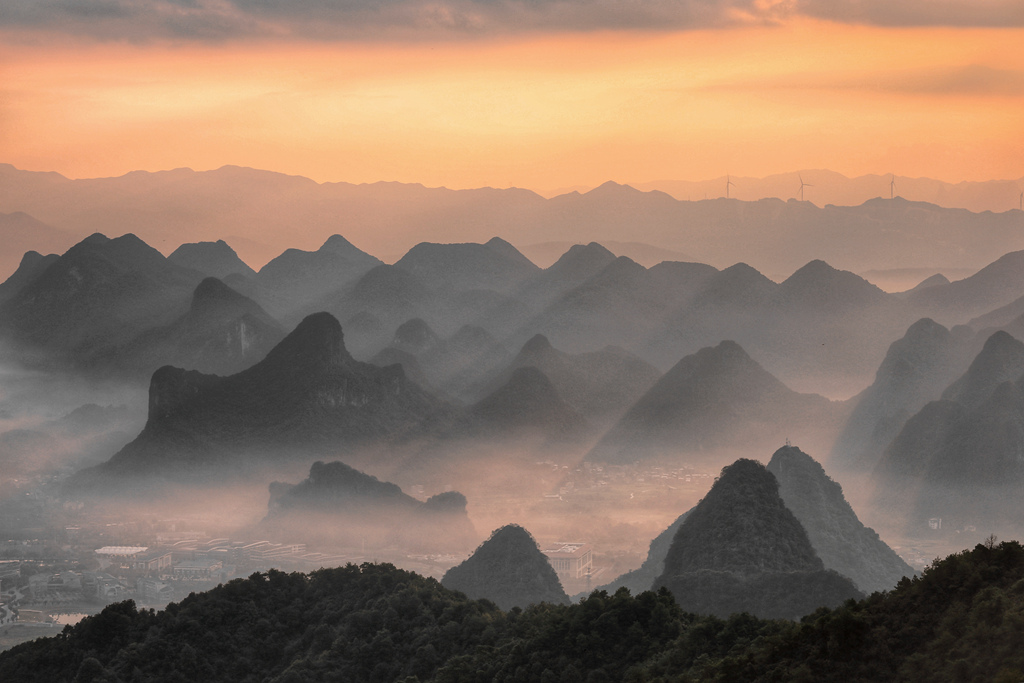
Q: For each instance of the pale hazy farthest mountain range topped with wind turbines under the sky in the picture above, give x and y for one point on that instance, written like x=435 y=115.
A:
x=775 y=236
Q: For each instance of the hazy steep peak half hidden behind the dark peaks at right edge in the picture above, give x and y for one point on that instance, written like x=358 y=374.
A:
x=916 y=370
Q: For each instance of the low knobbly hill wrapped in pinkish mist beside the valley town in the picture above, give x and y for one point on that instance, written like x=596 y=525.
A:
x=337 y=505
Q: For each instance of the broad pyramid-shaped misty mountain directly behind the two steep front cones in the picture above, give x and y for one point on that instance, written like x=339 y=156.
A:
x=714 y=399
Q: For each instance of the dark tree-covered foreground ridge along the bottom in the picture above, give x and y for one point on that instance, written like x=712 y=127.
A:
x=961 y=621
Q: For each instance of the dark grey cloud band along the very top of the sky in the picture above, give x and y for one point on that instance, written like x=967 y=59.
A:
x=141 y=21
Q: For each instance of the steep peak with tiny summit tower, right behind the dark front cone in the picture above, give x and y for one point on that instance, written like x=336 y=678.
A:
x=838 y=537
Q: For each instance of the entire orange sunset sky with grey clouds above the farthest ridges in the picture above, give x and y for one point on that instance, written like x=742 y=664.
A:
x=533 y=94
